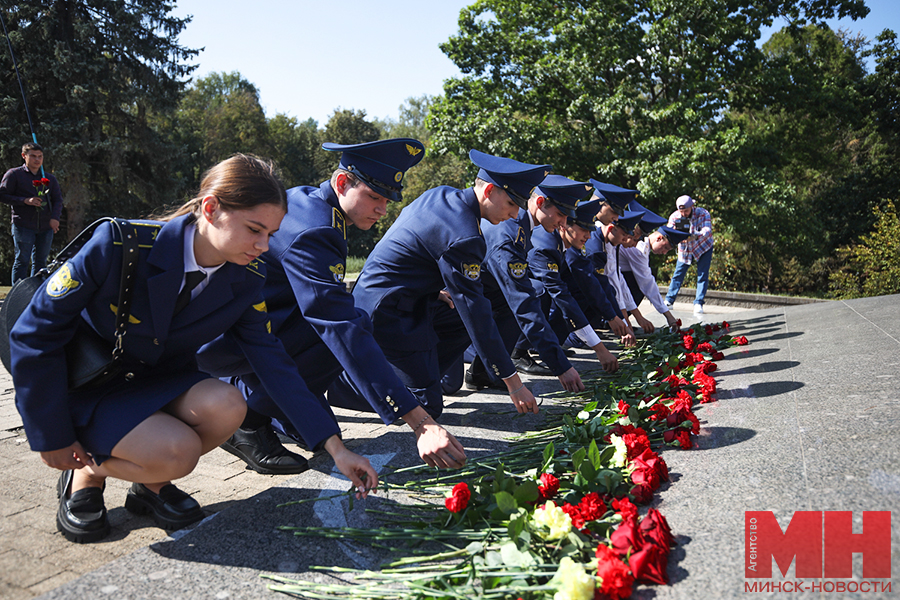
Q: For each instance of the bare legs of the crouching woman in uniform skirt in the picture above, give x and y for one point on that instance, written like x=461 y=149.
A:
x=168 y=444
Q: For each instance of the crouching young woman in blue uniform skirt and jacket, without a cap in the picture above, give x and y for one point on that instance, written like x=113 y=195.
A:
x=152 y=423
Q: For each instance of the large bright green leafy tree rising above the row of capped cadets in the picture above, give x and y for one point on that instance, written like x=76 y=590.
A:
x=646 y=95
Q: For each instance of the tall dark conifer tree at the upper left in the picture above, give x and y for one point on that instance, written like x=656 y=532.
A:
x=95 y=73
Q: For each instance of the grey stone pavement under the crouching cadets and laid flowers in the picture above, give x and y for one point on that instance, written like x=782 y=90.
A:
x=808 y=418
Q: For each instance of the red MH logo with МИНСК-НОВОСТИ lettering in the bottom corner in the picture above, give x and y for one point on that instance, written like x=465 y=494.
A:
x=822 y=543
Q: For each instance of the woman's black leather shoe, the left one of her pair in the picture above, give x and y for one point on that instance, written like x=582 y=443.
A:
x=82 y=515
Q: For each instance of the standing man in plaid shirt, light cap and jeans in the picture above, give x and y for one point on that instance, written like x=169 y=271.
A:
x=696 y=249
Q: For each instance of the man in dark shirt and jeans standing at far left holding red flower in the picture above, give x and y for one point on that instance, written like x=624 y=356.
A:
x=37 y=203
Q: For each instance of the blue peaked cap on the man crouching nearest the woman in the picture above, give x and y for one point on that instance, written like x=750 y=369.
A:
x=380 y=164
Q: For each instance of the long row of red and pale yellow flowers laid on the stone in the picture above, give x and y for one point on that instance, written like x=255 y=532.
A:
x=557 y=515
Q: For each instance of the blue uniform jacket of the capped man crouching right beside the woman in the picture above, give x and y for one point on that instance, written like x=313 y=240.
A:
x=309 y=303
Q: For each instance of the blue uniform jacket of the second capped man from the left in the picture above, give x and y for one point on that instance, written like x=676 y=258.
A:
x=435 y=243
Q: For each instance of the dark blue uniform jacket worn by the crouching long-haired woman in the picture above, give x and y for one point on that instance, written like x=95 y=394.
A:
x=86 y=289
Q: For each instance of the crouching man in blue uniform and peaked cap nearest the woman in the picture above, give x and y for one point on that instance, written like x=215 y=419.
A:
x=314 y=315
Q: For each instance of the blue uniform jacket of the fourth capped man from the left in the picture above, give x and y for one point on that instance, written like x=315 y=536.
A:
x=547 y=262
